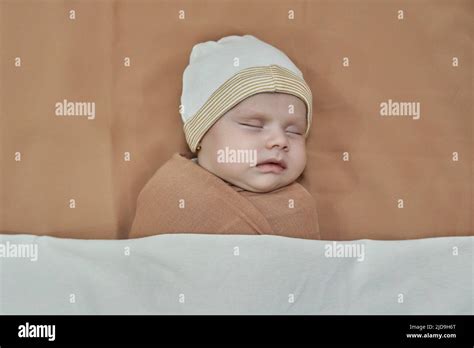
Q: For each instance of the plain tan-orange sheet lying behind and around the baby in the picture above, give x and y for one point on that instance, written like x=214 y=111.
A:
x=390 y=158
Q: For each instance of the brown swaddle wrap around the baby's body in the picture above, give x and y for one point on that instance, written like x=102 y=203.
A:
x=183 y=197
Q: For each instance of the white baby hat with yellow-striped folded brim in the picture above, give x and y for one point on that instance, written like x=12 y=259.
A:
x=221 y=74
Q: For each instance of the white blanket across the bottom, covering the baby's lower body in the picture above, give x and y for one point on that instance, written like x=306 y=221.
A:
x=235 y=274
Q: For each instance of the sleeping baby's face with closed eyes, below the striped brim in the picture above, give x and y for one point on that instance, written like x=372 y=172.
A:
x=268 y=125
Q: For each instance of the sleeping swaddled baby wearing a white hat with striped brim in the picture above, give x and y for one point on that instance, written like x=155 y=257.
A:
x=247 y=113
